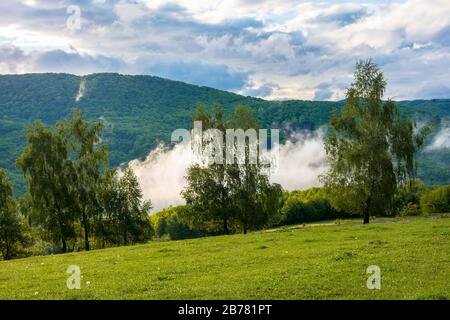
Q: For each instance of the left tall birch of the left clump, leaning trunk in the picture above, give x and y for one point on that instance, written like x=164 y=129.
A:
x=48 y=168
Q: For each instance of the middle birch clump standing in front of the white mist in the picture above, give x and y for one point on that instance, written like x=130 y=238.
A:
x=229 y=191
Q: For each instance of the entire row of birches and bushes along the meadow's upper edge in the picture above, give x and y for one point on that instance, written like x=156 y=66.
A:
x=75 y=201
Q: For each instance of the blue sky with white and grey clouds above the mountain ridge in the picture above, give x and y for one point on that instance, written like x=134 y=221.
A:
x=268 y=48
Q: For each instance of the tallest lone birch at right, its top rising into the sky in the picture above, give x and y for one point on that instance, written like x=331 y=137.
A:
x=370 y=148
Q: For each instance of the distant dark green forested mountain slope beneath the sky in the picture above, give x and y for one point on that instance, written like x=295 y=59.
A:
x=141 y=111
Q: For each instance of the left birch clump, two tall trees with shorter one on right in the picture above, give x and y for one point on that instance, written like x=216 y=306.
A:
x=73 y=194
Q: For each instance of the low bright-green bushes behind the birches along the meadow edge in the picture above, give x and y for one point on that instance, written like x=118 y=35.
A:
x=300 y=207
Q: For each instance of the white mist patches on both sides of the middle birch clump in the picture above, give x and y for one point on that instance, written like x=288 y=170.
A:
x=161 y=174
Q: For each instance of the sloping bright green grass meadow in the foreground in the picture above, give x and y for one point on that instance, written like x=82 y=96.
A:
x=312 y=262
